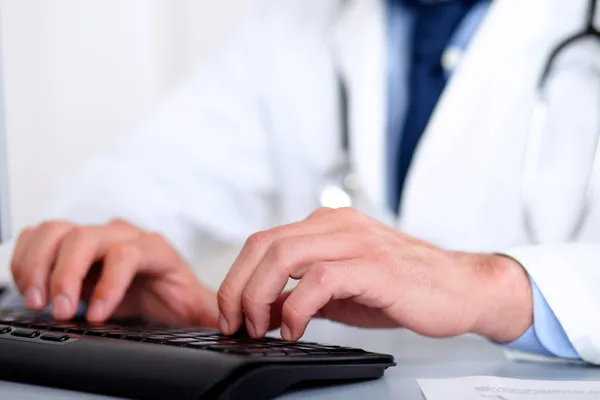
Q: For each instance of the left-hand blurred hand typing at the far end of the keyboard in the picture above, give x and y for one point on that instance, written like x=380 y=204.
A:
x=140 y=274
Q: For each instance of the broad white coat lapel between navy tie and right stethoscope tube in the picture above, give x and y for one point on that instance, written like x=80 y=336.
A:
x=463 y=190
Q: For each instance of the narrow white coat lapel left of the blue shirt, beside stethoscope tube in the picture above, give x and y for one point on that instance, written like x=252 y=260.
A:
x=358 y=41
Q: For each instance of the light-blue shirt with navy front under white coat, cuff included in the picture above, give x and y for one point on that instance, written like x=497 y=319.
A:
x=426 y=40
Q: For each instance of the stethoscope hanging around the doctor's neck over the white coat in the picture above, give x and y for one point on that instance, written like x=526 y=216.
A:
x=341 y=185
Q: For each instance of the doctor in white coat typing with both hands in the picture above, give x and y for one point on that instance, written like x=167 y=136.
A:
x=486 y=237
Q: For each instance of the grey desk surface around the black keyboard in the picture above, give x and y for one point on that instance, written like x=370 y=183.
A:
x=417 y=357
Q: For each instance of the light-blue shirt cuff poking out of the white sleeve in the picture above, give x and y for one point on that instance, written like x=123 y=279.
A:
x=546 y=336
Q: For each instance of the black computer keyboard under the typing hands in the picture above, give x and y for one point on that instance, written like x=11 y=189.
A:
x=128 y=359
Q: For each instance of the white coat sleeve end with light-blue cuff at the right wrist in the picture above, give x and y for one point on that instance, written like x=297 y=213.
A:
x=568 y=277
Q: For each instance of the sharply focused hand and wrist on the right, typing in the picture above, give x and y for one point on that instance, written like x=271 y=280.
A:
x=357 y=271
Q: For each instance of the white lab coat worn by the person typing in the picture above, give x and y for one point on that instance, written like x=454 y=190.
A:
x=245 y=143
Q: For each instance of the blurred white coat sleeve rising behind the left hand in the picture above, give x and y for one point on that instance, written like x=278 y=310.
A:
x=198 y=170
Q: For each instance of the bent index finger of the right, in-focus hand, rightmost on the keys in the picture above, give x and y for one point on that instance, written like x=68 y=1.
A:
x=322 y=283
